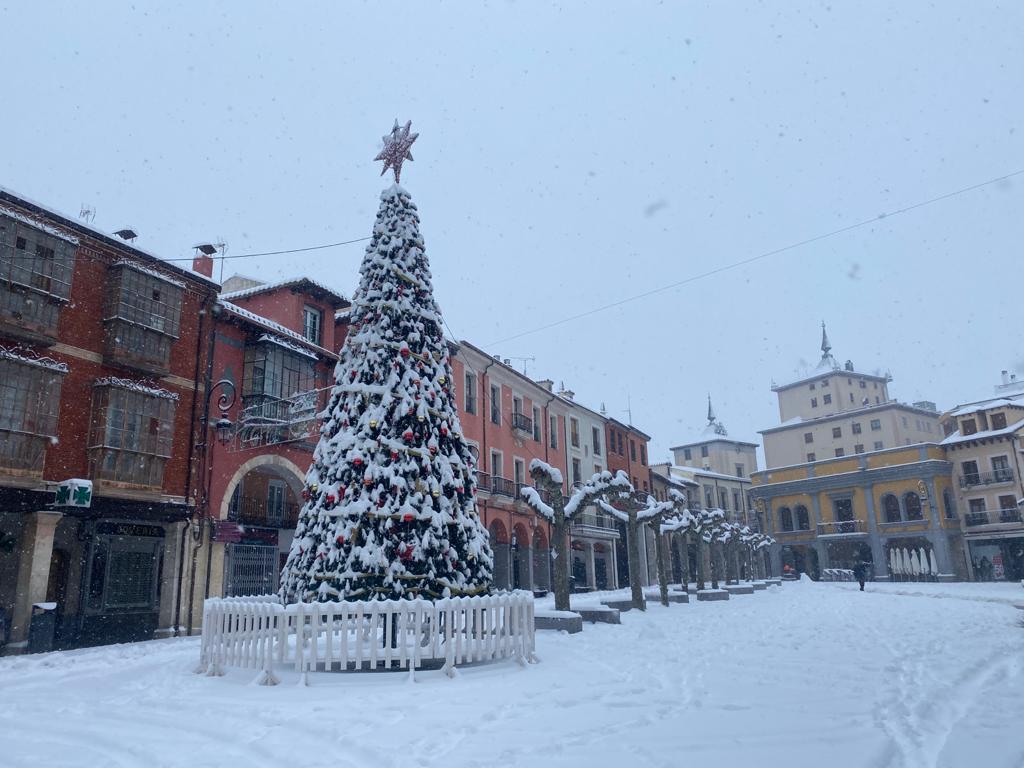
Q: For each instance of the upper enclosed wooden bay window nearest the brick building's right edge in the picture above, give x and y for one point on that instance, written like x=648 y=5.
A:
x=142 y=318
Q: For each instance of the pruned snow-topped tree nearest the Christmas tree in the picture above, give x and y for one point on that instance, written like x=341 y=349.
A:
x=547 y=500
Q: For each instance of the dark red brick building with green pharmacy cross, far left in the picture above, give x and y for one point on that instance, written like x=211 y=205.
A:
x=103 y=356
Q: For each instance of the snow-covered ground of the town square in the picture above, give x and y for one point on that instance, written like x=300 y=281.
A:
x=803 y=675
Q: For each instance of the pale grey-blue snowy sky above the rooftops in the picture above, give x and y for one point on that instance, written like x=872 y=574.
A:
x=571 y=157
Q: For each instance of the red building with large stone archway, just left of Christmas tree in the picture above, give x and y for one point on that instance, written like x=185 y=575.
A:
x=277 y=344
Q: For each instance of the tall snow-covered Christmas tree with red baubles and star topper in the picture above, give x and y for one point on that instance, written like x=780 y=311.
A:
x=391 y=508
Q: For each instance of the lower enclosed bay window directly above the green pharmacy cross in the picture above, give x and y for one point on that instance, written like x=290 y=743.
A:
x=133 y=433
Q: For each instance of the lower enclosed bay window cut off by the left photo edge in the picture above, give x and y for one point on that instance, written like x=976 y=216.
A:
x=30 y=402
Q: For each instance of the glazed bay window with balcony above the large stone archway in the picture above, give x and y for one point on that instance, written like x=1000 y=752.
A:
x=279 y=398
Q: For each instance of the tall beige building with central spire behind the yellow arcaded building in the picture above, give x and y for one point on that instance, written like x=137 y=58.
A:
x=838 y=411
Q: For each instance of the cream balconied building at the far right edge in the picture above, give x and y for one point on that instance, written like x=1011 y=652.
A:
x=984 y=444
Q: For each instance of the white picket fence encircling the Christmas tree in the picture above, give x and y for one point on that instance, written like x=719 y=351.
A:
x=262 y=634
